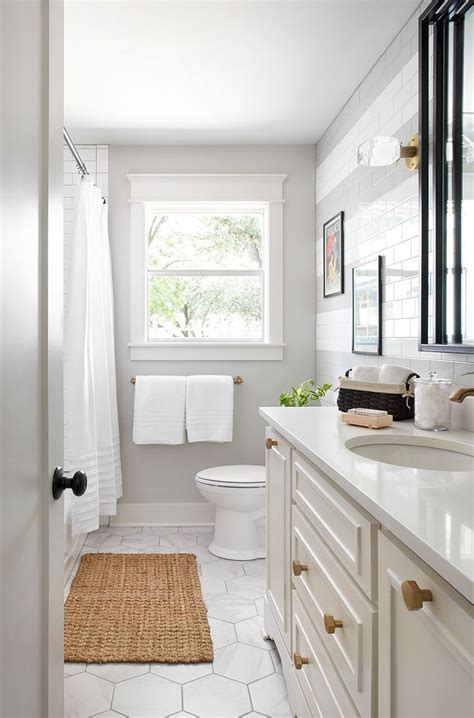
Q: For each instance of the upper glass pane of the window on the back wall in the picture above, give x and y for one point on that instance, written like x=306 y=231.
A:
x=205 y=241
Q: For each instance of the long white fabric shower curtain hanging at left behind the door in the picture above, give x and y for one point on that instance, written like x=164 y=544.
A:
x=90 y=398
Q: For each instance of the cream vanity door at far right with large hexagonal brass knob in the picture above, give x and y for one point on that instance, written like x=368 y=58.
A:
x=427 y=652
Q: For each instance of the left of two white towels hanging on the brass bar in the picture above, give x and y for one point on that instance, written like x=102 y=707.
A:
x=159 y=410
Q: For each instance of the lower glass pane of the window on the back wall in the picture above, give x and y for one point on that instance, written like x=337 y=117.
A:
x=205 y=307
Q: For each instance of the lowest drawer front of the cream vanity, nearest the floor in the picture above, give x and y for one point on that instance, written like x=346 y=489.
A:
x=323 y=689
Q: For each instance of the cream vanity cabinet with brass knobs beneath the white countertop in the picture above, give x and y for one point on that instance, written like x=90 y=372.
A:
x=336 y=605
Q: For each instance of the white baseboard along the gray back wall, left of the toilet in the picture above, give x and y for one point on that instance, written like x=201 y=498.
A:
x=201 y=514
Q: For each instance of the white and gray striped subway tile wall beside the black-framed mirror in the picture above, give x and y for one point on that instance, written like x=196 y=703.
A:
x=381 y=217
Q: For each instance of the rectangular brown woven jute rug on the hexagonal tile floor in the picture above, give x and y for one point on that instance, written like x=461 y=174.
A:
x=136 y=608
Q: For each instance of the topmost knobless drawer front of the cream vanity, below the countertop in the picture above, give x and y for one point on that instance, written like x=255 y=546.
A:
x=349 y=531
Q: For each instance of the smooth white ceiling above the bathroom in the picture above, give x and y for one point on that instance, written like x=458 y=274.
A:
x=223 y=71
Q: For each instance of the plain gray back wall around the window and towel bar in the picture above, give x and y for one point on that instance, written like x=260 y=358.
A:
x=166 y=474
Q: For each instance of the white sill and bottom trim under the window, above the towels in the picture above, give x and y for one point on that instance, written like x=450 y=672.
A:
x=206 y=351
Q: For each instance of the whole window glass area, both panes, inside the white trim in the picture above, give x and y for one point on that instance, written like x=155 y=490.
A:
x=205 y=273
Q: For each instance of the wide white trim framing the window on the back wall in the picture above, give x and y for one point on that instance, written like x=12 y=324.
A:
x=262 y=191
